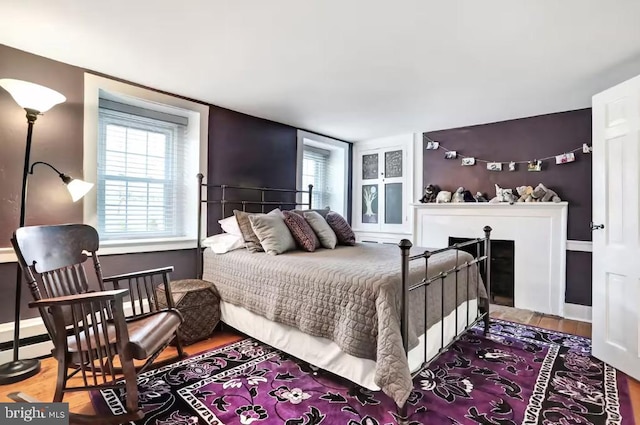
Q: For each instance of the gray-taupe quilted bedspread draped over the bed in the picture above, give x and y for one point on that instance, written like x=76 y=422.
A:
x=350 y=295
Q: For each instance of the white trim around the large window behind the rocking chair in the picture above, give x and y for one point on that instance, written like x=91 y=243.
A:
x=199 y=118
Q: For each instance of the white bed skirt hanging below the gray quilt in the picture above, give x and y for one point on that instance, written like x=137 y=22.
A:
x=325 y=354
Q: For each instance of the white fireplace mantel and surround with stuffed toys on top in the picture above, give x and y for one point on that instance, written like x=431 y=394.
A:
x=539 y=232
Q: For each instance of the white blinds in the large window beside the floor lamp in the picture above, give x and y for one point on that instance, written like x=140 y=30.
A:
x=141 y=172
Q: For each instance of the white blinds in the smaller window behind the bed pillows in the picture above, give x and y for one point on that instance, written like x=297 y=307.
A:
x=316 y=170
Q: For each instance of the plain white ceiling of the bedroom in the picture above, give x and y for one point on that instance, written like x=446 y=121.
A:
x=352 y=69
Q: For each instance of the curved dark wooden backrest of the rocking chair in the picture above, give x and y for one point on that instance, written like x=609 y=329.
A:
x=52 y=258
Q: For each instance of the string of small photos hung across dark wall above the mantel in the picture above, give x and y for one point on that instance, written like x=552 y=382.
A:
x=532 y=165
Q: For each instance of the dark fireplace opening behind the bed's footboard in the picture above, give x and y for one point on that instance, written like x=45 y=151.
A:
x=502 y=268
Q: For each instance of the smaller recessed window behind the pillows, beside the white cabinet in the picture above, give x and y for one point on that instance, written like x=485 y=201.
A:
x=324 y=163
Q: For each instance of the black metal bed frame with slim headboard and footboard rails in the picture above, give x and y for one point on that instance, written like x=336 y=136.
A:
x=405 y=245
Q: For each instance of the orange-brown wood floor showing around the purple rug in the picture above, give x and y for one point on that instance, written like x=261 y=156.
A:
x=42 y=385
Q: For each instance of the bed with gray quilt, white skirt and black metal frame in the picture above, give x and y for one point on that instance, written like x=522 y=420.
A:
x=371 y=313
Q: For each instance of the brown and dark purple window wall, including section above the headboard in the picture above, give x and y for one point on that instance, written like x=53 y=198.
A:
x=242 y=150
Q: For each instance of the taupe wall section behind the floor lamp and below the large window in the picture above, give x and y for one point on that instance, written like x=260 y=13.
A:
x=57 y=139
